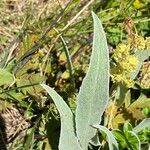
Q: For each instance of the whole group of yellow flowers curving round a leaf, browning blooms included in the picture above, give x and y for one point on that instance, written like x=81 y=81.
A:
x=126 y=62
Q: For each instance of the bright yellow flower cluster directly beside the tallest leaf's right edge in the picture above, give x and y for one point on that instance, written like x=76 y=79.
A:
x=125 y=64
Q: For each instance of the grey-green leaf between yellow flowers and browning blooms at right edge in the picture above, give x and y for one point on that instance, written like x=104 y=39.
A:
x=142 y=56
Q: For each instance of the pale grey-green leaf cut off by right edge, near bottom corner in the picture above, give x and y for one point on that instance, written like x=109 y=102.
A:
x=144 y=124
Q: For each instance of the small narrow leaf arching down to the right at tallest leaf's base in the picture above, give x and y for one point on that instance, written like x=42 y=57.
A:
x=111 y=139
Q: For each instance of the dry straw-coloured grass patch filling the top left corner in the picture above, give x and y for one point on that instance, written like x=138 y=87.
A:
x=14 y=12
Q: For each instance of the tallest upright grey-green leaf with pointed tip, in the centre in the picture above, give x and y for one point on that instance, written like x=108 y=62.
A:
x=94 y=91
